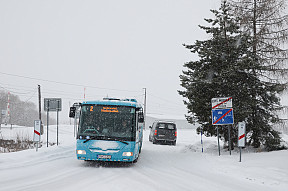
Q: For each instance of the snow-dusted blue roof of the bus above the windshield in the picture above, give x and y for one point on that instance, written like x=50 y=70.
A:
x=114 y=102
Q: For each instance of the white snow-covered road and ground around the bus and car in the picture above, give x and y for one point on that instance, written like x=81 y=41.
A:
x=160 y=167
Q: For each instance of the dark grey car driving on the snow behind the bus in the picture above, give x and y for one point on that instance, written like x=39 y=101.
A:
x=165 y=132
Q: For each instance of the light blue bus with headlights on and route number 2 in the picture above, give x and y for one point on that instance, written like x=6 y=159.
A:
x=109 y=130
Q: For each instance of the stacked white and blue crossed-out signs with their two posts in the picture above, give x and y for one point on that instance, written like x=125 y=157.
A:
x=222 y=114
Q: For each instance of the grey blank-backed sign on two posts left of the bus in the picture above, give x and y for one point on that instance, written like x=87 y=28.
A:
x=52 y=104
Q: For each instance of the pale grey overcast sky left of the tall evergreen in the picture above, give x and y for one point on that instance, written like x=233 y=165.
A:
x=113 y=48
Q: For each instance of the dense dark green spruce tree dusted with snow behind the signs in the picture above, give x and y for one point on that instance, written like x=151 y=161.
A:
x=226 y=67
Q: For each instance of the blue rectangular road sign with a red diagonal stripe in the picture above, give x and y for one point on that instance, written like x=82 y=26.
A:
x=222 y=116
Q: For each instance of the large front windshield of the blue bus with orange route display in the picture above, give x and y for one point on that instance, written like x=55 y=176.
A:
x=107 y=122
